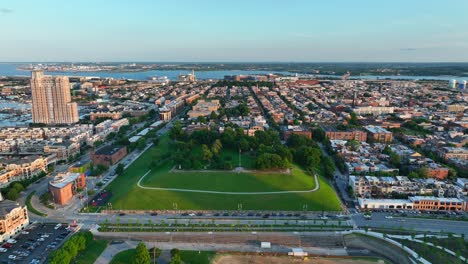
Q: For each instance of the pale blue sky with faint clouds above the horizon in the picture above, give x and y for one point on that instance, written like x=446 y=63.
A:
x=234 y=30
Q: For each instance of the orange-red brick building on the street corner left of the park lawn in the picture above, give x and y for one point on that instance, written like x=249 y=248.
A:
x=64 y=186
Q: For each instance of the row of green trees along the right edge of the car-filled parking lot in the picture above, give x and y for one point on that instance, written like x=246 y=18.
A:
x=71 y=248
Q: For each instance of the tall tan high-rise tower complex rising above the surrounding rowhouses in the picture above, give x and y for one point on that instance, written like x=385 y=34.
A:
x=51 y=100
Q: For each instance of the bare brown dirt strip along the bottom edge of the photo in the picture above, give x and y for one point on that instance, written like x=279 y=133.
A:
x=242 y=259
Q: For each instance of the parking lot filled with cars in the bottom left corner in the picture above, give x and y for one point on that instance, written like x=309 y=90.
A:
x=34 y=244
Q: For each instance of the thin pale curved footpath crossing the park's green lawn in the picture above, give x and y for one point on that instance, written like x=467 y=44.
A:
x=316 y=188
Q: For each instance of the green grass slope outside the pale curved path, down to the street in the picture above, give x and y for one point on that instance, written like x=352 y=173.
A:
x=126 y=195
